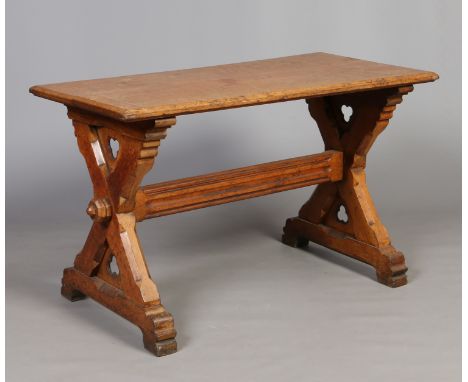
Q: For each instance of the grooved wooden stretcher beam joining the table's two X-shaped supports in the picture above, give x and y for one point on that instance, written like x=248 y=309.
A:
x=243 y=183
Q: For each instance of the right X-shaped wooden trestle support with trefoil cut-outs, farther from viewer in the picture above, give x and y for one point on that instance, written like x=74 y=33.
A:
x=342 y=215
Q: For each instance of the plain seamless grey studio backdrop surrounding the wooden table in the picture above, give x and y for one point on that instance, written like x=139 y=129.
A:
x=246 y=307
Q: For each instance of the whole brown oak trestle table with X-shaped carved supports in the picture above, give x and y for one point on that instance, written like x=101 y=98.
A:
x=351 y=100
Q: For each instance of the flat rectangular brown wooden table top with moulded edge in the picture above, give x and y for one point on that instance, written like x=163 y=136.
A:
x=172 y=93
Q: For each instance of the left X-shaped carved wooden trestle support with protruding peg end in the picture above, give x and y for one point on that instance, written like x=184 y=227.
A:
x=111 y=267
